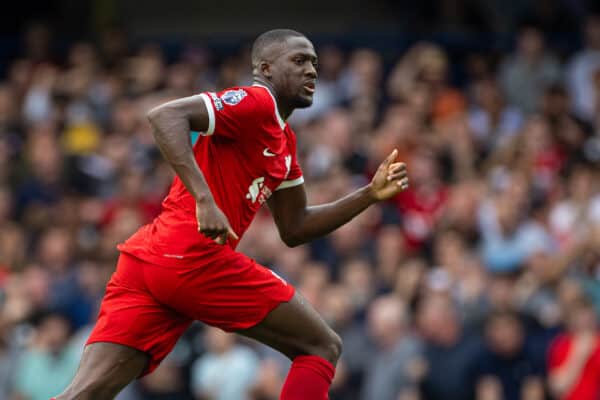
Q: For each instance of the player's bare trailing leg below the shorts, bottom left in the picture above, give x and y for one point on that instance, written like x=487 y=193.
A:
x=105 y=369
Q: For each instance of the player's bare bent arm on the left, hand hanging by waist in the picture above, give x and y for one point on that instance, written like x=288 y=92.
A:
x=172 y=123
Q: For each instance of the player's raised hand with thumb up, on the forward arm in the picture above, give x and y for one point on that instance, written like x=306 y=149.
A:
x=390 y=179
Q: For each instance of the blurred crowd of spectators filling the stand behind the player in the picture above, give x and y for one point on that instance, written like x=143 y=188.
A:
x=481 y=281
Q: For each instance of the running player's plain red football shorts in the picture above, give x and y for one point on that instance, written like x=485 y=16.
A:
x=148 y=307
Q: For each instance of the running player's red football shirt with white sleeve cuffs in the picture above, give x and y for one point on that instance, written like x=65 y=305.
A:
x=247 y=152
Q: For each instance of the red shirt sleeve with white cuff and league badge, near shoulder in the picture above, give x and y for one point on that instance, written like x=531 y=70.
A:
x=231 y=110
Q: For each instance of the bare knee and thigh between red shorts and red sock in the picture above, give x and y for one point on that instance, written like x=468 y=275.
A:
x=295 y=328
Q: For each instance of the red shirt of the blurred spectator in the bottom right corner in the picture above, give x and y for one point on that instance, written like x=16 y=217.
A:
x=588 y=385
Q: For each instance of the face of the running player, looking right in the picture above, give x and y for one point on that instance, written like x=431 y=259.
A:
x=295 y=73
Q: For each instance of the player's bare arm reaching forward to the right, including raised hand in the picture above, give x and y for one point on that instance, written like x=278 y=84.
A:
x=298 y=223
